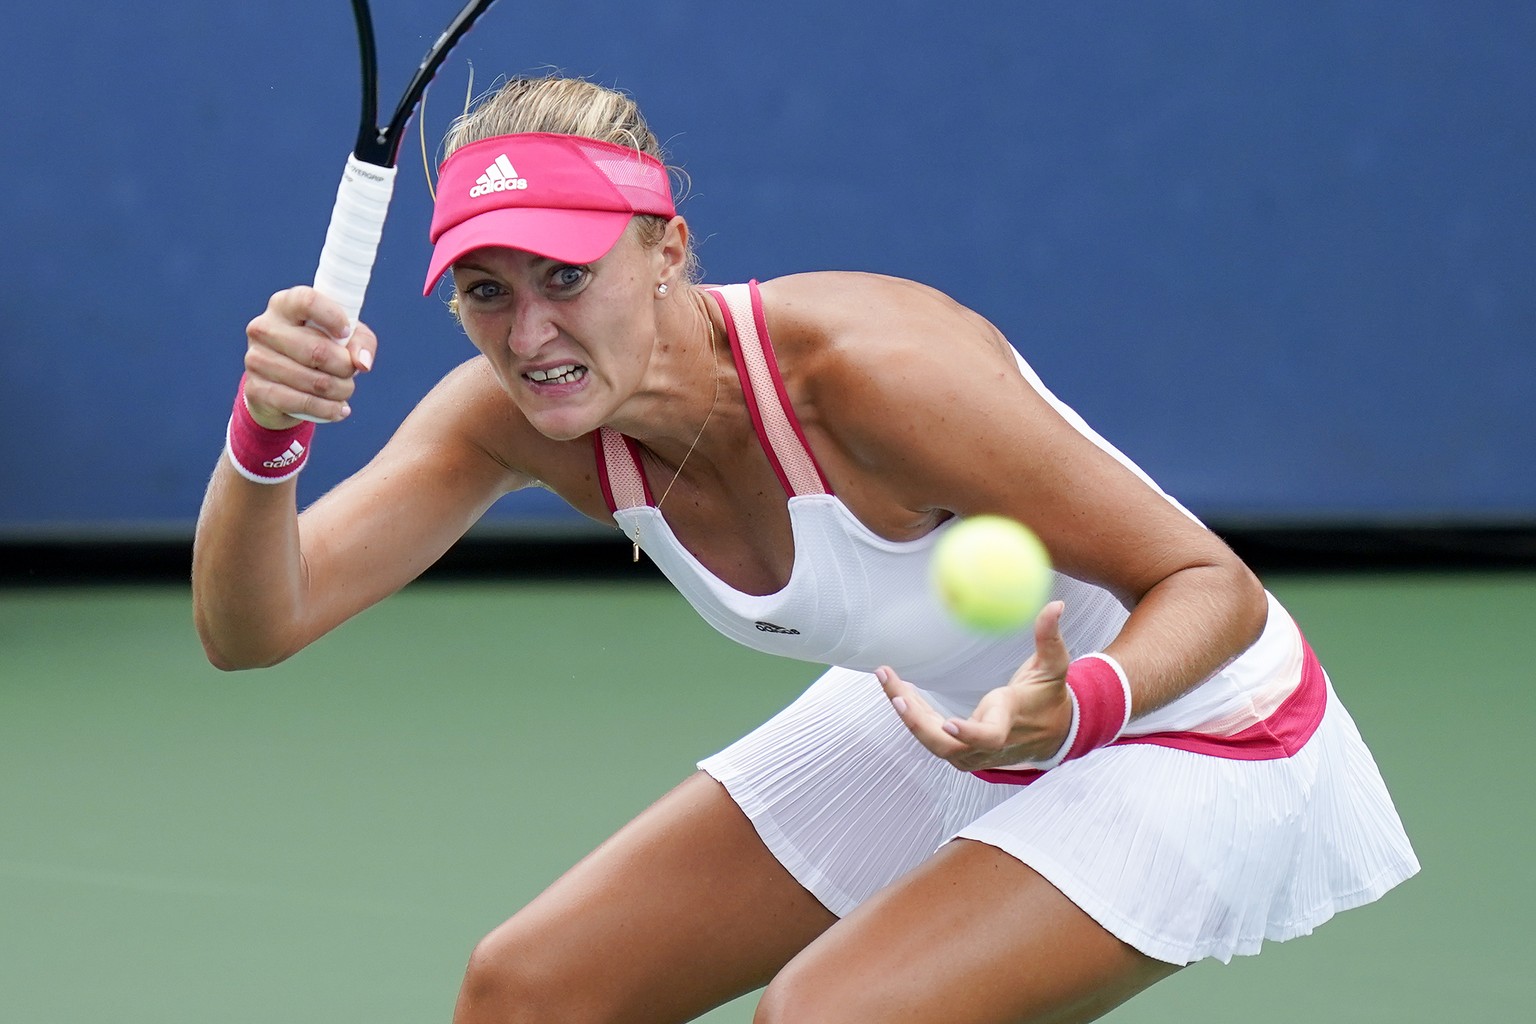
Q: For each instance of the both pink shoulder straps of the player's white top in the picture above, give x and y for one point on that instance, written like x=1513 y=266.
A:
x=778 y=429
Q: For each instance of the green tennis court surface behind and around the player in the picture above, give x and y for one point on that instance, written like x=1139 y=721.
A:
x=326 y=841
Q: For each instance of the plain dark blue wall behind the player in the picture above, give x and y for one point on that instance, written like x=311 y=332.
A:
x=1280 y=254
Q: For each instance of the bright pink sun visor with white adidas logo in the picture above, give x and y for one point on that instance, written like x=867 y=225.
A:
x=561 y=197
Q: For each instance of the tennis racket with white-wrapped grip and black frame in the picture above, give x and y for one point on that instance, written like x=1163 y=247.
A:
x=357 y=222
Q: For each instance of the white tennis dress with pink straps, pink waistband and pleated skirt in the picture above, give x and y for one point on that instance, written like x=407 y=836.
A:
x=1246 y=810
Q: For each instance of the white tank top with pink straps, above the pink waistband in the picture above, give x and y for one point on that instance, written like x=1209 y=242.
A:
x=859 y=601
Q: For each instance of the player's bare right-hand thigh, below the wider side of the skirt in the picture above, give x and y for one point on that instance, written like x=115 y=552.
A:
x=972 y=937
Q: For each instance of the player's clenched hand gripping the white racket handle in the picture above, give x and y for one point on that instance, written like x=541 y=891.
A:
x=302 y=358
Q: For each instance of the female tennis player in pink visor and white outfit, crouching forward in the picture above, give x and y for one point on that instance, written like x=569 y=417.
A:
x=944 y=828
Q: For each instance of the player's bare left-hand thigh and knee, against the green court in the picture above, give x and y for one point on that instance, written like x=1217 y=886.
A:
x=681 y=911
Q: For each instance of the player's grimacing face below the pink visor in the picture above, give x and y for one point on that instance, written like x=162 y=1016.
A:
x=569 y=343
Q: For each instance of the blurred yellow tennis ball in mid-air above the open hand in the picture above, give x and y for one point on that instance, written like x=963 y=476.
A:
x=991 y=573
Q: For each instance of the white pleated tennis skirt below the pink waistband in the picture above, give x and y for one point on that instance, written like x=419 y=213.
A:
x=1182 y=856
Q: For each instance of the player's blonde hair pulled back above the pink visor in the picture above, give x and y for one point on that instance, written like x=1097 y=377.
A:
x=571 y=107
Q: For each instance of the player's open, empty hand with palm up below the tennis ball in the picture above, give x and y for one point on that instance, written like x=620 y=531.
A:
x=1027 y=721
